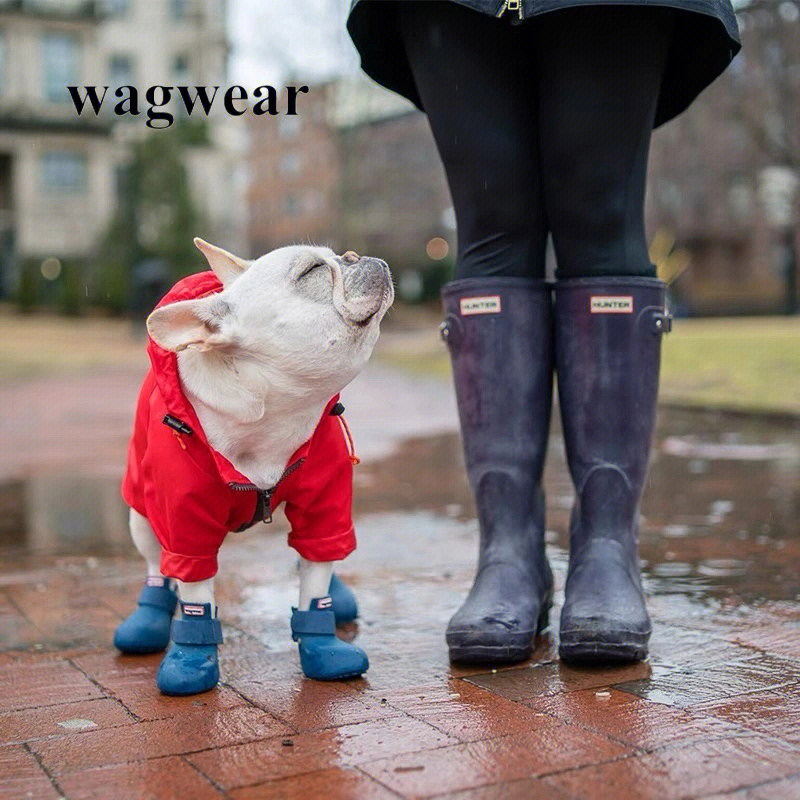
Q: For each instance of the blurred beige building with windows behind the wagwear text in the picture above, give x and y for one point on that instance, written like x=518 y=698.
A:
x=60 y=172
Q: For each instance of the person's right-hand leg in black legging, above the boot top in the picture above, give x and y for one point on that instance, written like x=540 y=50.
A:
x=599 y=77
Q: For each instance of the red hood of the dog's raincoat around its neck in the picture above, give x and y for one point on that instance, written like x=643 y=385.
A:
x=167 y=378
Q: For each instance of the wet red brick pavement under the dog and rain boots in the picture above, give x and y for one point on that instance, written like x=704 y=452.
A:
x=714 y=713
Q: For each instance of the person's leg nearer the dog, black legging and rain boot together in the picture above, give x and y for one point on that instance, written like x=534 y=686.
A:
x=498 y=322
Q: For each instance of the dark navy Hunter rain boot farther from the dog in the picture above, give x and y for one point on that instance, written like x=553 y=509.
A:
x=608 y=350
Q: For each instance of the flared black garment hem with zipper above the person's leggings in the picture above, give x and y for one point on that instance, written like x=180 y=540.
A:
x=706 y=40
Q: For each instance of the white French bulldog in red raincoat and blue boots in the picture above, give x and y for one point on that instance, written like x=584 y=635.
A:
x=238 y=414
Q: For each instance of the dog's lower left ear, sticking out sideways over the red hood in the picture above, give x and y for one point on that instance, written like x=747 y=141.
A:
x=195 y=324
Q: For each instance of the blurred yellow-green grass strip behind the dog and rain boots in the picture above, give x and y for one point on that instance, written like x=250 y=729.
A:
x=749 y=363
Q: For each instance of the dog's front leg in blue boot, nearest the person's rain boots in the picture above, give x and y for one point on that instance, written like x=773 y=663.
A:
x=322 y=654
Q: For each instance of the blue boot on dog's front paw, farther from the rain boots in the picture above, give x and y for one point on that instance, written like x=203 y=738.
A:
x=190 y=665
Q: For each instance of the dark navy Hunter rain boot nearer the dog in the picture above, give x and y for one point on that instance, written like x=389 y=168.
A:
x=499 y=333
